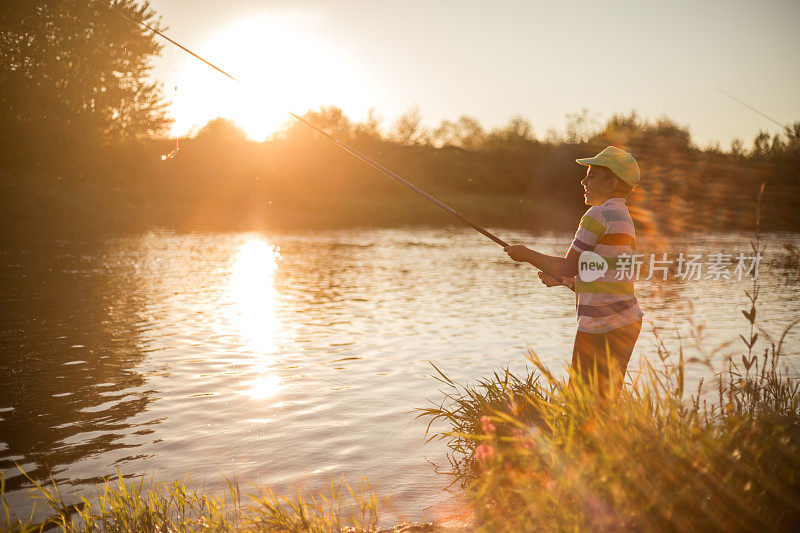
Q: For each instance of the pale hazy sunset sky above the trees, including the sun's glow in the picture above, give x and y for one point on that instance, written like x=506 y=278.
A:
x=540 y=60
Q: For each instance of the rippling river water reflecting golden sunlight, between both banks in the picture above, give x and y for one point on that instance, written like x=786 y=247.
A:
x=290 y=359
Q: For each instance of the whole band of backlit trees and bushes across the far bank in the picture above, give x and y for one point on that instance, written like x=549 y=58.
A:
x=82 y=130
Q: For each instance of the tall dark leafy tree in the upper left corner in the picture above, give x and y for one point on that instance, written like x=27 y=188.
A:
x=75 y=75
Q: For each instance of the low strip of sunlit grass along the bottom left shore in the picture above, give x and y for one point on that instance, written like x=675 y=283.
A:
x=136 y=506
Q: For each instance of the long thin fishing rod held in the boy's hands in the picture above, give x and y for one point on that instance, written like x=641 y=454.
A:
x=345 y=146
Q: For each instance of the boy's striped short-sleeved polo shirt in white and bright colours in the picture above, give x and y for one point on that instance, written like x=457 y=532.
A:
x=608 y=302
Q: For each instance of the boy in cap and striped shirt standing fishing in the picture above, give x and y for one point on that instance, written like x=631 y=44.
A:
x=609 y=318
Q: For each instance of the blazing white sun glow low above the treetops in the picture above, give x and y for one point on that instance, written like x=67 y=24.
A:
x=280 y=68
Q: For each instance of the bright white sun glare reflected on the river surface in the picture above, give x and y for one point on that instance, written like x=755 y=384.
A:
x=252 y=291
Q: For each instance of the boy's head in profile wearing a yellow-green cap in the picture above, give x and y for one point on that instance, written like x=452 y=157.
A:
x=613 y=173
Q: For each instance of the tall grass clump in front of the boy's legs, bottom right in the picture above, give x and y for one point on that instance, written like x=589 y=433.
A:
x=532 y=454
